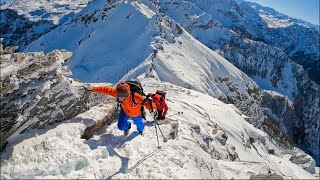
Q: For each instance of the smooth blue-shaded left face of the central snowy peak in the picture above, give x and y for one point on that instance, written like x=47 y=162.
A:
x=119 y=33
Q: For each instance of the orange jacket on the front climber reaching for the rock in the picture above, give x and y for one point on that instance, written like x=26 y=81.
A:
x=131 y=109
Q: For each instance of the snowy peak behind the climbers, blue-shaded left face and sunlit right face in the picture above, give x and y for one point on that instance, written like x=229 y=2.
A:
x=155 y=46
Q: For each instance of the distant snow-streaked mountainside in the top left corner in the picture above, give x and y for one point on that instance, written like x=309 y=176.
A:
x=23 y=21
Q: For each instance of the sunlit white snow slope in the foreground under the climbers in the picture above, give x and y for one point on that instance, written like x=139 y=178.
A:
x=197 y=152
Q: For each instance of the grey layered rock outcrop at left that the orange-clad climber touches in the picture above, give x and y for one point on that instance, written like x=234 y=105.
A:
x=35 y=91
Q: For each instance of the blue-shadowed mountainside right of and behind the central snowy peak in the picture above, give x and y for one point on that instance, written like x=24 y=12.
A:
x=244 y=42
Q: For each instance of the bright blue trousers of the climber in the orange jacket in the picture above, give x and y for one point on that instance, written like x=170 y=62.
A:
x=123 y=123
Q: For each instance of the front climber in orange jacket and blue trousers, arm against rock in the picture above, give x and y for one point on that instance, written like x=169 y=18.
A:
x=128 y=108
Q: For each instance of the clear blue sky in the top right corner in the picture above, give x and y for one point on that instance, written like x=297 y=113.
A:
x=307 y=10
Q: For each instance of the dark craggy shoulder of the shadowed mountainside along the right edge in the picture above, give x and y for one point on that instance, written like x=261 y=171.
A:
x=273 y=69
